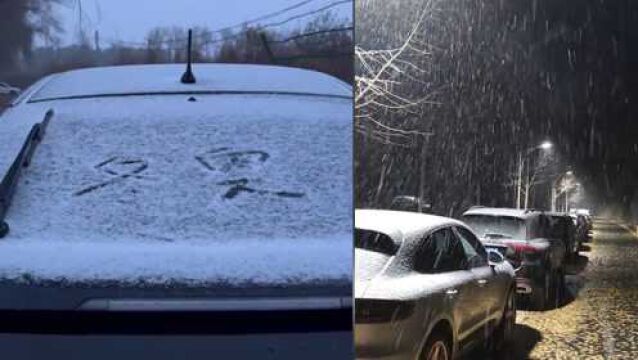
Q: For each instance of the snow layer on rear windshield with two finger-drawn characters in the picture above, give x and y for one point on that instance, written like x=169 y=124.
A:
x=229 y=188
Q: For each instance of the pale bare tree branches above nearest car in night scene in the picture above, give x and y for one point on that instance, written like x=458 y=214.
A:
x=381 y=75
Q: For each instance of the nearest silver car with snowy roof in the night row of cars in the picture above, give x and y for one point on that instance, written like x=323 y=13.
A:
x=426 y=288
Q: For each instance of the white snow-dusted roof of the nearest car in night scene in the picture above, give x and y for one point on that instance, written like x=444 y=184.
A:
x=400 y=224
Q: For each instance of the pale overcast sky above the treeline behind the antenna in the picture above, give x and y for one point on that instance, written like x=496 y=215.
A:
x=130 y=20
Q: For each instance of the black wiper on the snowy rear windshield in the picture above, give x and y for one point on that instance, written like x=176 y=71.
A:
x=10 y=180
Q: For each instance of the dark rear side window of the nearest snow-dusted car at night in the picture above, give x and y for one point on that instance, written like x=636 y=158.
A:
x=440 y=252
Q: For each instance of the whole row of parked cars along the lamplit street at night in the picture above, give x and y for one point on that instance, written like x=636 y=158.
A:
x=430 y=287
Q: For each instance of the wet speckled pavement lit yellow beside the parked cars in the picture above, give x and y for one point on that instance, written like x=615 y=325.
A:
x=598 y=316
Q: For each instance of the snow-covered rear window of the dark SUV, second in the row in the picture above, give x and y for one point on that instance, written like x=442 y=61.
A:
x=495 y=227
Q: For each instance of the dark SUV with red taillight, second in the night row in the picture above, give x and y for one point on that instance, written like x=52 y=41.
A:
x=537 y=258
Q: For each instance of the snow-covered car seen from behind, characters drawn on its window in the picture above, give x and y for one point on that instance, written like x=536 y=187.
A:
x=146 y=194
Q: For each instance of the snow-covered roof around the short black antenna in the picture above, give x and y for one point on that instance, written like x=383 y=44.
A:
x=165 y=79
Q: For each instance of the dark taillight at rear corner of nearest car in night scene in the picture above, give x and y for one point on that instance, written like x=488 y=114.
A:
x=378 y=311
